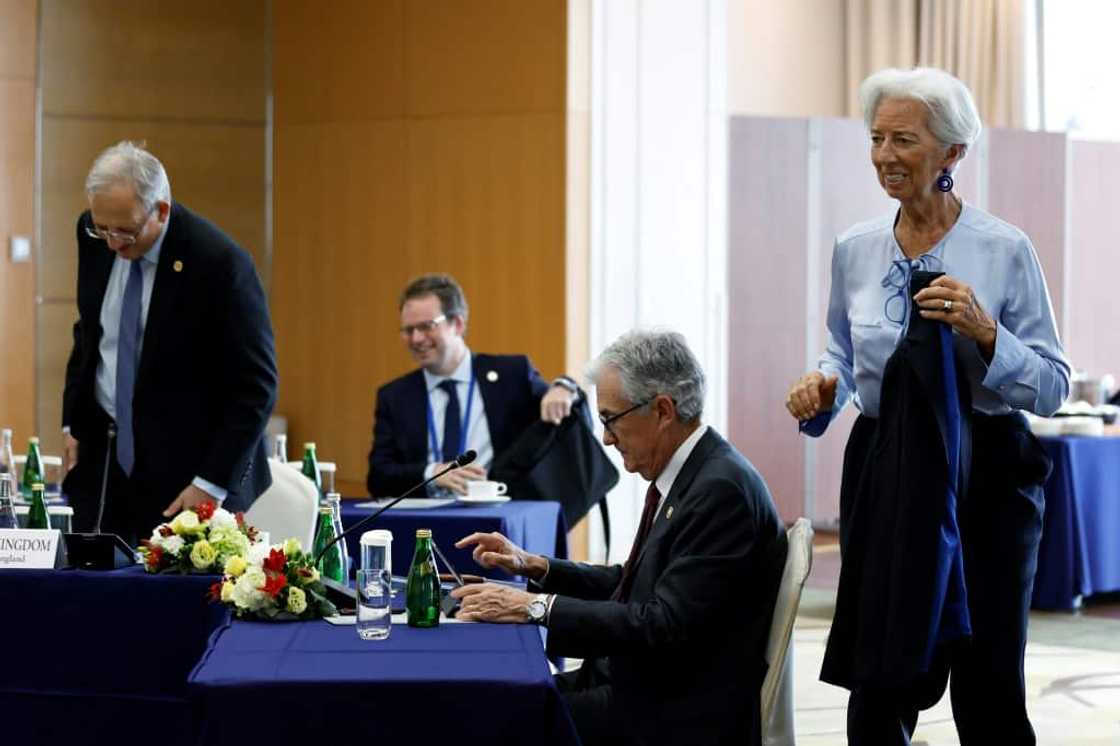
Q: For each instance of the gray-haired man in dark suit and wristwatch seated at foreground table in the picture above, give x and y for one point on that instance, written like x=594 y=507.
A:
x=674 y=641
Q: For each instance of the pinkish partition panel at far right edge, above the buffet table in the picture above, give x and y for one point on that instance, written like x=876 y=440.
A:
x=1095 y=225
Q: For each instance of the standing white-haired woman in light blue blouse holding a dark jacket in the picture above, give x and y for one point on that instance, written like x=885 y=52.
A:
x=1004 y=346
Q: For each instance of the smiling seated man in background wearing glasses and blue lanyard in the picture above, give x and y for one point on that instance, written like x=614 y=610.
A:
x=419 y=427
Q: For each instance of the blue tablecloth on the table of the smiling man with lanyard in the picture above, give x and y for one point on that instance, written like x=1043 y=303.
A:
x=537 y=527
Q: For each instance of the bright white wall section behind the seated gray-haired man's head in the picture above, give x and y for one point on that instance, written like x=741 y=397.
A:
x=658 y=195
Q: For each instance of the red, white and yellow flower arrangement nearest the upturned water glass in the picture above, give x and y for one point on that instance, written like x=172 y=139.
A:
x=282 y=586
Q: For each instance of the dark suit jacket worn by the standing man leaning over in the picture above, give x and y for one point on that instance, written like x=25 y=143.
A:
x=208 y=377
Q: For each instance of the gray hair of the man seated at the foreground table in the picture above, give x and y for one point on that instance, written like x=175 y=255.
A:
x=652 y=363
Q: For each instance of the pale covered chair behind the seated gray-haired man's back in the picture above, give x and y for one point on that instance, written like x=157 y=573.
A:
x=778 y=686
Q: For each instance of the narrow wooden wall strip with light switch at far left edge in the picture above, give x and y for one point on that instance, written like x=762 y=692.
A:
x=17 y=199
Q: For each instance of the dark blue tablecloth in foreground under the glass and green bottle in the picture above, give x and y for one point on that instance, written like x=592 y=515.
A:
x=305 y=683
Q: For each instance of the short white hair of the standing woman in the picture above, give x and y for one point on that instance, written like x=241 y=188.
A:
x=954 y=116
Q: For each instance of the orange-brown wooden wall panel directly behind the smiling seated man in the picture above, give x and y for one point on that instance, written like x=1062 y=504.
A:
x=410 y=138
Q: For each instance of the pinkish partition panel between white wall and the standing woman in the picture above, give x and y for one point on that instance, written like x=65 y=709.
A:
x=768 y=234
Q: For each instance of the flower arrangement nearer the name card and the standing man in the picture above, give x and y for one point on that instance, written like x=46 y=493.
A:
x=200 y=540
